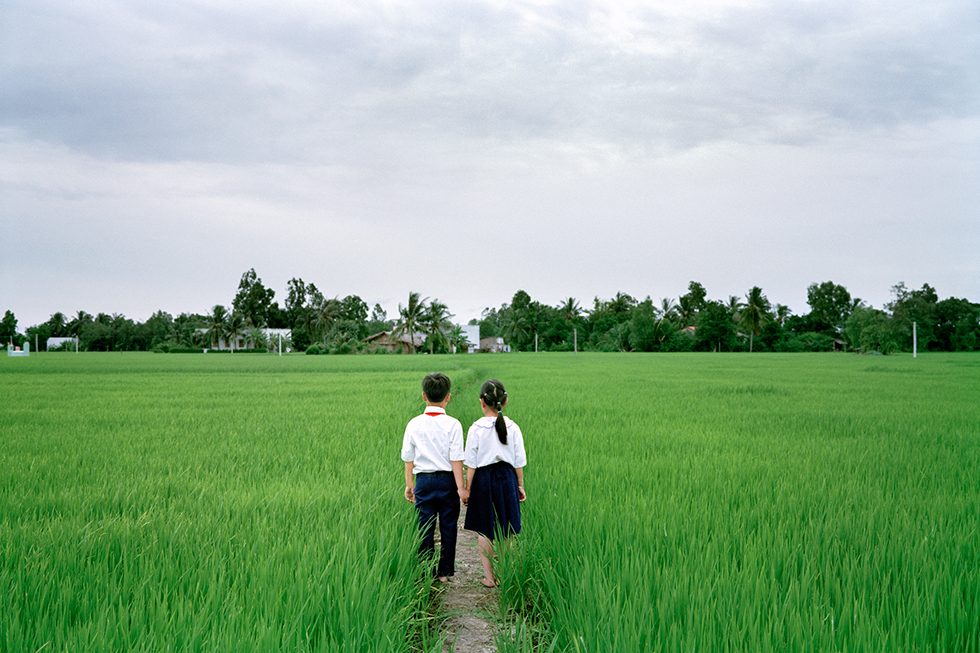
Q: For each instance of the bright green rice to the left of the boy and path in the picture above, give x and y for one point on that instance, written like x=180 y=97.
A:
x=208 y=503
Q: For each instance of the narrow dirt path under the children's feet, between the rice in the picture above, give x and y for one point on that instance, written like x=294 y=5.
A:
x=468 y=605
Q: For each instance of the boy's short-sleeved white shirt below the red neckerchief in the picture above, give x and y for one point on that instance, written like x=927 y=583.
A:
x=432 y=441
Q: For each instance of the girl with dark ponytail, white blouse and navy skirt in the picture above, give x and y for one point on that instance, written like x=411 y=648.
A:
x=495 y=460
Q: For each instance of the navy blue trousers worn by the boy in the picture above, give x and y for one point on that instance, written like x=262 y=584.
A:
x=436 y=496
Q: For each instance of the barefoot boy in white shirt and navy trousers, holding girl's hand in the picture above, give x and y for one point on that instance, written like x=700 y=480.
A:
x=432 y=450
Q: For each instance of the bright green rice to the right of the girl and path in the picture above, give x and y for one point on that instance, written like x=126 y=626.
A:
x=733 y=503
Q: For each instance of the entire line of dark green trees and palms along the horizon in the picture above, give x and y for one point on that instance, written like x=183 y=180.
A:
x=691 y=322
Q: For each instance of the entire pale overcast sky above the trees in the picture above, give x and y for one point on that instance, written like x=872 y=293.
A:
x=150 y=153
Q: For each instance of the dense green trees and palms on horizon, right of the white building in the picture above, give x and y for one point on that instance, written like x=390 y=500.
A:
x=693 y=322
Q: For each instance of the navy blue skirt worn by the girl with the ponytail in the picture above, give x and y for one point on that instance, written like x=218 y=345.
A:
x=494 y=506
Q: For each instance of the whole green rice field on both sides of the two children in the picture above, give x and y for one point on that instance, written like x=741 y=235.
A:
x=676 y=503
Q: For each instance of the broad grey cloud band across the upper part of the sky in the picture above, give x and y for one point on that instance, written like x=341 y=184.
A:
x=262 y=84
